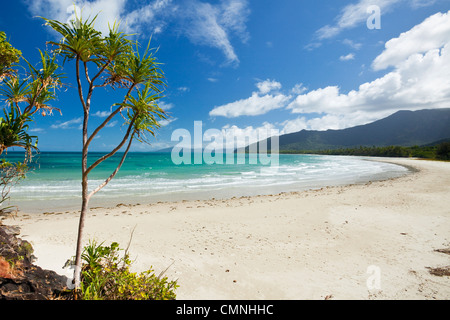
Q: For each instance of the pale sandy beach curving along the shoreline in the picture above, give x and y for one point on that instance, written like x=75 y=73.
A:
x=370 y=241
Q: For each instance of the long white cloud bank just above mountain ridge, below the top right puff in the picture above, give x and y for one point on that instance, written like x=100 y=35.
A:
x=420 y=82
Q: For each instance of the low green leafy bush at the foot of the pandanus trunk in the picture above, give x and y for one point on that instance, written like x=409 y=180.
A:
x=105 y=275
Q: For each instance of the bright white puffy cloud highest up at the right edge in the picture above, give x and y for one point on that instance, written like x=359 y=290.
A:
x=432 y=33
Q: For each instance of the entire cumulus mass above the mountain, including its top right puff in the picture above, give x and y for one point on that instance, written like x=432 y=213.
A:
x=421 y=64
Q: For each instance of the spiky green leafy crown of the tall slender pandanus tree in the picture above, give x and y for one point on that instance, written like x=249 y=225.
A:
x=118 y=63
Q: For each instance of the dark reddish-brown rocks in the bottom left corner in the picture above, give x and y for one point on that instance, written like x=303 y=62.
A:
x=20 y=279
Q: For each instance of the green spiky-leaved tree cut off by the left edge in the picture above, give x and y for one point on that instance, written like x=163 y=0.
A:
x=23 y=96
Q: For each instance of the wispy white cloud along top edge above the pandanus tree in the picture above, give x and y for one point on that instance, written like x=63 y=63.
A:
x=203 y=23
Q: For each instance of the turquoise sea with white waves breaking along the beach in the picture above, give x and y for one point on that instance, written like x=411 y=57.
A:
x=54 y=181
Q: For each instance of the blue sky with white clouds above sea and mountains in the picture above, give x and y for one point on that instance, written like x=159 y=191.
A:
x=286 y=65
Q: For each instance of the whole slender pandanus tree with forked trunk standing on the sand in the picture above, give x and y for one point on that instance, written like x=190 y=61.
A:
x=109 y=61
